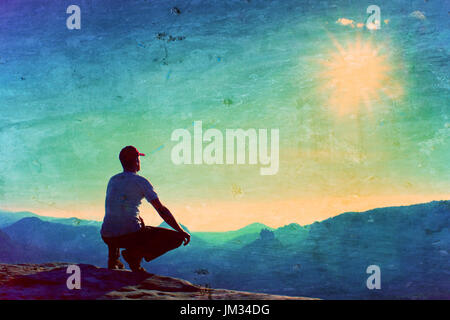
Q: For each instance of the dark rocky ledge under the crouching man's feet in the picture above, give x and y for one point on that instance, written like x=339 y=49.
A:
x=48 y=281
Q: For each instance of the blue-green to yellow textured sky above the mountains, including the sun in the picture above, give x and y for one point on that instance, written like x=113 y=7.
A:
x=362 y=114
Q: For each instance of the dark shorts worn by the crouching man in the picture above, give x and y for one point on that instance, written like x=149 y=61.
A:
x=149 y=242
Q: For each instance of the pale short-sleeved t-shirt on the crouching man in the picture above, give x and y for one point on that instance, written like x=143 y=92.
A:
x=123 y=197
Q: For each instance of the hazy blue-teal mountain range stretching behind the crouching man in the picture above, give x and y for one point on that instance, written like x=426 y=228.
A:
x=326 y=259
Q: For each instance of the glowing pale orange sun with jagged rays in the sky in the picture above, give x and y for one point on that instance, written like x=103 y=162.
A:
x=355 y=75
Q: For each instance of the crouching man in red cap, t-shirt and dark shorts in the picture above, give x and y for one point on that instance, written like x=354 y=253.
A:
x=123 y=227
